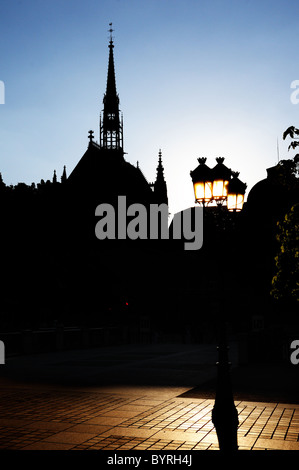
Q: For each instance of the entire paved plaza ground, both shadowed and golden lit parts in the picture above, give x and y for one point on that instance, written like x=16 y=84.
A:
x=130 y=398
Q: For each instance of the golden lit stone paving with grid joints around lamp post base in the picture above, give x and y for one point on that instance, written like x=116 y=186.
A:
x=57 y=419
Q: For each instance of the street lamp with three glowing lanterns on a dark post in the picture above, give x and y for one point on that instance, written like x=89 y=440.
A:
x=221 y=185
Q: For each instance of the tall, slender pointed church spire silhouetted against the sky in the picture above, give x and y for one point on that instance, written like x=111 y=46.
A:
x=111 y=125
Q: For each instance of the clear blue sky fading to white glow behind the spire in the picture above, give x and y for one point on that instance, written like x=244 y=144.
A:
x=196 y=78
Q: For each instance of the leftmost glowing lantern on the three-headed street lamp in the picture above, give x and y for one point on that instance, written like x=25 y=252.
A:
x=202 y=182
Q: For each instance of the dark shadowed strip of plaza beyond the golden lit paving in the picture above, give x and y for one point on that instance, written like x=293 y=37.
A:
x=191 y=367
